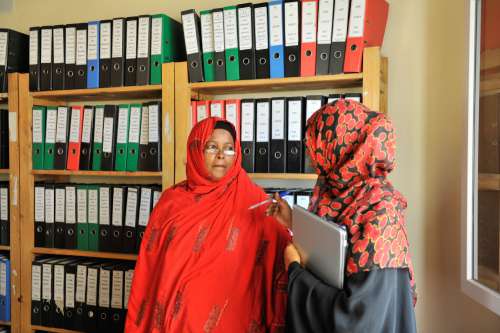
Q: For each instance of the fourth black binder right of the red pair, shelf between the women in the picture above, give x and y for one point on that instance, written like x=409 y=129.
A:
x=294 y=163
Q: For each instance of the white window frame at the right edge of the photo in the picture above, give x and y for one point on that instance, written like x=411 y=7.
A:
x=470 y=286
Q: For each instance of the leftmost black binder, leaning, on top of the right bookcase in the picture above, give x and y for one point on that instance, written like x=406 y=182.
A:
x=191 y=28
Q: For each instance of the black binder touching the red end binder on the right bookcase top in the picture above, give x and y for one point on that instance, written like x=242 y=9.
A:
x=339 y=36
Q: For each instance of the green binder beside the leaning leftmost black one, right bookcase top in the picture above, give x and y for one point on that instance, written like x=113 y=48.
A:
x=207 y=39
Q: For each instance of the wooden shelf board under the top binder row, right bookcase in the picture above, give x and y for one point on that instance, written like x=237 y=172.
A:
x=266 y=85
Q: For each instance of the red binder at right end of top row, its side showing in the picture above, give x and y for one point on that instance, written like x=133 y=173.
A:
x=367 y=23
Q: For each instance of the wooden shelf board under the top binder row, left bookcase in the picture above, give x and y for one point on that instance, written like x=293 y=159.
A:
x=101 y=94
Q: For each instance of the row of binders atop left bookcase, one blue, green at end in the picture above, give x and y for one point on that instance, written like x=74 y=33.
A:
x=108 y=53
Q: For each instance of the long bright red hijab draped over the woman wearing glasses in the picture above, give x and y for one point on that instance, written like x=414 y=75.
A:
x=207 y=263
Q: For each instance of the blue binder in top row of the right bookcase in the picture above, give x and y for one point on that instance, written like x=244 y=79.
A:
x=276 y=50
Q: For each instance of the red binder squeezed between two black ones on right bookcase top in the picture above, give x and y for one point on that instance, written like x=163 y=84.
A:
x=308 y=43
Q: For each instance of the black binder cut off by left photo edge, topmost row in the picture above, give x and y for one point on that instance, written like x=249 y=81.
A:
x=13 y=55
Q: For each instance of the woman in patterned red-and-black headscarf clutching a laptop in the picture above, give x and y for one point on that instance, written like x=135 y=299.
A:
x=352 y=150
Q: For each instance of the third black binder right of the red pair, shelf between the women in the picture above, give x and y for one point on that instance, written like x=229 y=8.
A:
x=277 y=155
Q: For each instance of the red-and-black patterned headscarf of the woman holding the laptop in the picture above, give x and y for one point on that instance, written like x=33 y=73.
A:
x=353 y=149
